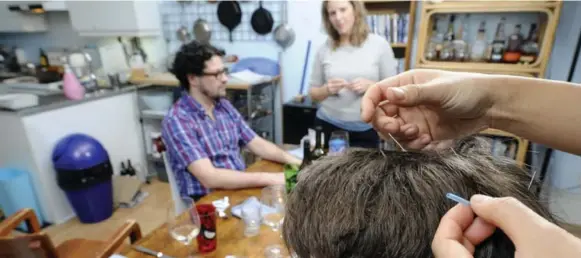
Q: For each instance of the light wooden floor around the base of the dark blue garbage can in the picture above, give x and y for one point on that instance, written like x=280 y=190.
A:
x=151 y=213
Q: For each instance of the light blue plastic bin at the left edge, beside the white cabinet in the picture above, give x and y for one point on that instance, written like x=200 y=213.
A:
x=16 y=193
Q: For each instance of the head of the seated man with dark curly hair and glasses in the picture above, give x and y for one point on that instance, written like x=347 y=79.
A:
x=199 y=67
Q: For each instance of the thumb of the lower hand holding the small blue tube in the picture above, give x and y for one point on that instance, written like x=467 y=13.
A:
x=515 y=219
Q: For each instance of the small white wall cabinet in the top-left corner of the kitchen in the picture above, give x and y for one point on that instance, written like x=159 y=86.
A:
x=15 y=21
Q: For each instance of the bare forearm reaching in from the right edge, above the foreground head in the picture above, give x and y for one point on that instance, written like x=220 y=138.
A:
x=543 y=111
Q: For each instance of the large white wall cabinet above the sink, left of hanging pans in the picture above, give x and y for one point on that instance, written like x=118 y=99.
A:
x=115 y=18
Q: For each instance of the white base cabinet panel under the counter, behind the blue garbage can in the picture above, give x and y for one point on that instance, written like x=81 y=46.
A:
x=28 y=139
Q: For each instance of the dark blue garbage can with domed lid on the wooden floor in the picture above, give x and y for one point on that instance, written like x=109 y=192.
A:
x=84 y=173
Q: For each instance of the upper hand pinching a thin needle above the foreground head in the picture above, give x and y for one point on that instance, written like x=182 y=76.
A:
x=420 y=108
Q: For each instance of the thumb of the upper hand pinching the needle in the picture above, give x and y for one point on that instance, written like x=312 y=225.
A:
x=416 y=94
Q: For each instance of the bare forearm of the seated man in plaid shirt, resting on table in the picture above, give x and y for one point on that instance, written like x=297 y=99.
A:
x=231 y=179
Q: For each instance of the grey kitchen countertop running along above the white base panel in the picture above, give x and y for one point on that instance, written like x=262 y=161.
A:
x=58 y=100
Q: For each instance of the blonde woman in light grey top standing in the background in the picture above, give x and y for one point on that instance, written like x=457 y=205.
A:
x=350 y=61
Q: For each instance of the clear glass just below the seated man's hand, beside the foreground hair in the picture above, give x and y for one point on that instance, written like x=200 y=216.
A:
x=273 y=199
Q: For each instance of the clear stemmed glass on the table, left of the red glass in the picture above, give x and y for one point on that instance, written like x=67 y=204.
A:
x=184 y=227
